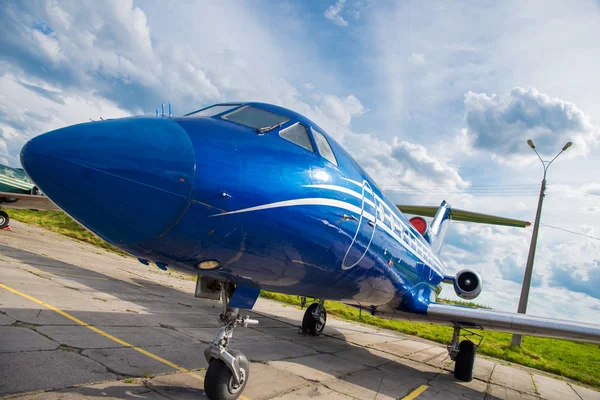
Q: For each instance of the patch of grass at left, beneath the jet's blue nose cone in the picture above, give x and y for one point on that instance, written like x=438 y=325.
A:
x=61 y=223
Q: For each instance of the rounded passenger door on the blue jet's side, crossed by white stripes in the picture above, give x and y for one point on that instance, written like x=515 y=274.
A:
x=365 y=229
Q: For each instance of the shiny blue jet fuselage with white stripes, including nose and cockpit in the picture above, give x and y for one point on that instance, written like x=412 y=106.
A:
x=271 y=207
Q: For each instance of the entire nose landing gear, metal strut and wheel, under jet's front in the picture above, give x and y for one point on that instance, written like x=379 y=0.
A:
x=228 y=370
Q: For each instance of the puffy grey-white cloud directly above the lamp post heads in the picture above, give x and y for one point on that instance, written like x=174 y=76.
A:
x=501 y=125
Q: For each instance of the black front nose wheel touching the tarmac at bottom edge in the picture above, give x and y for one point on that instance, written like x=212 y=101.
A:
x=219 y=383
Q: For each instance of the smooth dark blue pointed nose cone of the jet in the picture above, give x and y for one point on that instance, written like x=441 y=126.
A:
x=126 y=179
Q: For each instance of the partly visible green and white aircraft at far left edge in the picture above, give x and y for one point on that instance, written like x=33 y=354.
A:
x=18 y=191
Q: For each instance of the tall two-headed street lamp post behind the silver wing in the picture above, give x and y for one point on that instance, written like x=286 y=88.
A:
x=517 y=339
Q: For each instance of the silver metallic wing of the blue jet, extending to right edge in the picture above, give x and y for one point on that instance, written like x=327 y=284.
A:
x=524 y=324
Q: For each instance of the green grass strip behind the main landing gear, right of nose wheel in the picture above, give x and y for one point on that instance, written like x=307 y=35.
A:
x=577 y=361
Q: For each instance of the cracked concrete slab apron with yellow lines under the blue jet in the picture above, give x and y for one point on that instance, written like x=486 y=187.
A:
x=77 y=322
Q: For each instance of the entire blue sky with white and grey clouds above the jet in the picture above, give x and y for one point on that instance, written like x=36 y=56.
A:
x=435 y=100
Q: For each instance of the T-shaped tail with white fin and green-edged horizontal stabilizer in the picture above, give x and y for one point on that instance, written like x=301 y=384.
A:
x=443 y=214
